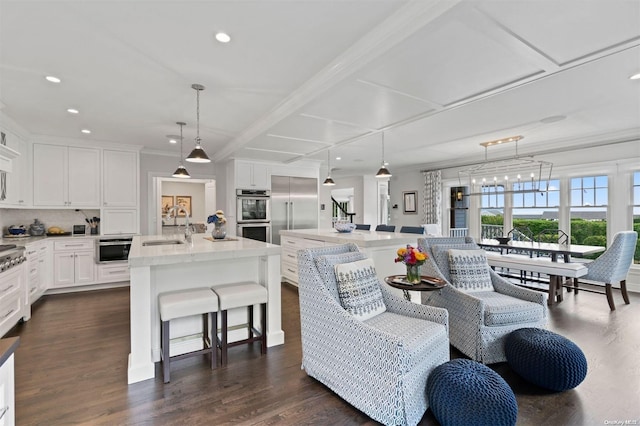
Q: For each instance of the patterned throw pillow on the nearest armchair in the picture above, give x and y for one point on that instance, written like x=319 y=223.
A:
x=359 y=289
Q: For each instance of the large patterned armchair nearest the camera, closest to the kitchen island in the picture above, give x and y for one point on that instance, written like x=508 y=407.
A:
x=379 y=365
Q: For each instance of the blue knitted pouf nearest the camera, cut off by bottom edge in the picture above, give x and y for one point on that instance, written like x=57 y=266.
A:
x=465 y=392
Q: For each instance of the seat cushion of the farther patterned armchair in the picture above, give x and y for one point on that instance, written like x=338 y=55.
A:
x=500 y=309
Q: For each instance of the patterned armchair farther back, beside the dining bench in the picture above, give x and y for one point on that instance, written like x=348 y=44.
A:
x=481 y=320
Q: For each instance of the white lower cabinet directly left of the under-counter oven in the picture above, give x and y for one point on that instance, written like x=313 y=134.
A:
x=74 y=263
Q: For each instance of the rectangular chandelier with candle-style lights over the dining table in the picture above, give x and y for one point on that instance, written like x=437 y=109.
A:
x=508 y=176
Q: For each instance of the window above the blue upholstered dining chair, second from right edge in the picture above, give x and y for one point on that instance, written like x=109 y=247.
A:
x=589 y=204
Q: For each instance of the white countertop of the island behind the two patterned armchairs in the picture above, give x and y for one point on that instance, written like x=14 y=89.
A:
x=363 y=239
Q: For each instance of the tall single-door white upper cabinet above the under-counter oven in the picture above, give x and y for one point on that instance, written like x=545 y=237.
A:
x=119 y=178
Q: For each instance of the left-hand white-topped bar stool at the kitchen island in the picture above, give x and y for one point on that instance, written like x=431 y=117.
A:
x=184 y=303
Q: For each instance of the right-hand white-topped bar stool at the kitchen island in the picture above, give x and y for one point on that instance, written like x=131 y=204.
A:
x=235 y=296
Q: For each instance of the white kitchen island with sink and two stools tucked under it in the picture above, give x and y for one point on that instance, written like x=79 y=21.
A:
x=163 y=266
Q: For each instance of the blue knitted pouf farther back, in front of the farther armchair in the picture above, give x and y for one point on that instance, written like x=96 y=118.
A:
x=545 y=358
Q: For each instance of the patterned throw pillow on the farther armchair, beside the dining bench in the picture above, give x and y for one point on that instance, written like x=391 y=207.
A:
x=469 y=270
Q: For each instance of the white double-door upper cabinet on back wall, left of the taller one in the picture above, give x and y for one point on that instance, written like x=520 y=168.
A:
x=66 y=176
